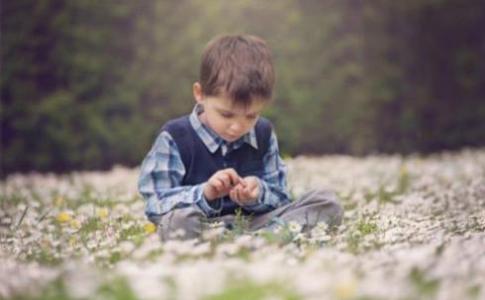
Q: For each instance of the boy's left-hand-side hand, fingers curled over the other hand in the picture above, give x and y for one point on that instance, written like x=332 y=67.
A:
x=221 y=183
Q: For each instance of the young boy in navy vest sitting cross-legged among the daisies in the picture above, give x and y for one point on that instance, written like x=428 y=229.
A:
x=223 y=156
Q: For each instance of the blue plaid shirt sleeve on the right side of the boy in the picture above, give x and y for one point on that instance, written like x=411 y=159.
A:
x=273 y=186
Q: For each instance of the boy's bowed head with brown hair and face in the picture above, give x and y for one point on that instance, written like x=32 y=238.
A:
x=236 y=82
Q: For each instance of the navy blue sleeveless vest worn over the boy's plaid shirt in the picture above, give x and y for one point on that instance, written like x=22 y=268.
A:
x=200 y=164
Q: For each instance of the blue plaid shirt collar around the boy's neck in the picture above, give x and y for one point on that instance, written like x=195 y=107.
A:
x=212 y=140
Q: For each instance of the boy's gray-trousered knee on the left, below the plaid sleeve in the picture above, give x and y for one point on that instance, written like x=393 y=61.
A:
x=182 y=223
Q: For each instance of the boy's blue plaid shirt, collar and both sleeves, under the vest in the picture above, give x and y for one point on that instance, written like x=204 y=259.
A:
x=162 y=172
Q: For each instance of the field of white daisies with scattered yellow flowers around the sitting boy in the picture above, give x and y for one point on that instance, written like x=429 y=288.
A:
x=414 y=228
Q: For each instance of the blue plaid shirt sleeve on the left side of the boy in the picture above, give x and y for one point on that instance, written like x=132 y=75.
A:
x=160 y=181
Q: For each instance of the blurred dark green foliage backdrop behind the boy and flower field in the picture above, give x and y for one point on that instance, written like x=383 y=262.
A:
x=88 y=84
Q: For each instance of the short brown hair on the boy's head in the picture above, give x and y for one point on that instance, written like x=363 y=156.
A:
x=239 y=67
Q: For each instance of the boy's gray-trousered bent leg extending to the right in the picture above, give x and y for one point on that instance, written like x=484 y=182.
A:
x=313 y=207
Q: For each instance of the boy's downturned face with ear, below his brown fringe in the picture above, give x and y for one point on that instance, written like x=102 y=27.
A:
x=230 y=121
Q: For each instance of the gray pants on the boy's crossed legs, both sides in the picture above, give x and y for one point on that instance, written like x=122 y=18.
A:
x=313 y=207
